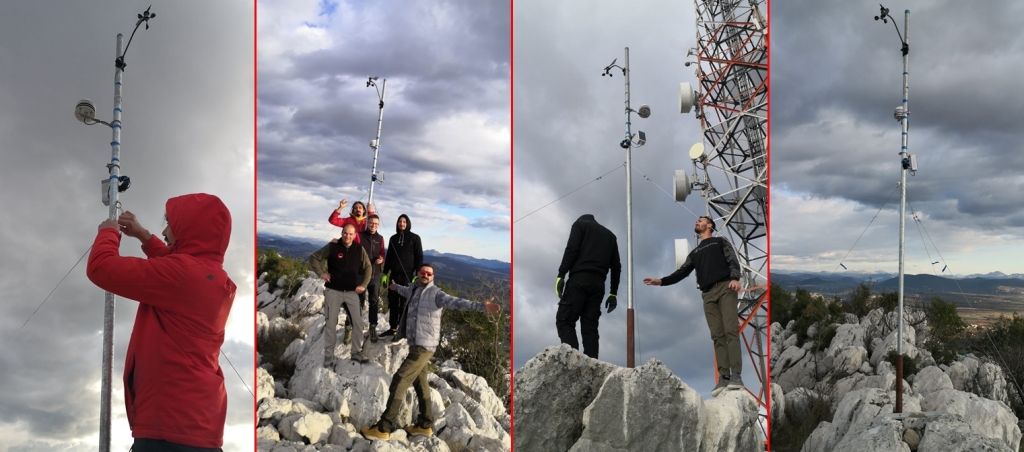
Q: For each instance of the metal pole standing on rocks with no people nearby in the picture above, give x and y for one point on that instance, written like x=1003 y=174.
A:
x=903 y=209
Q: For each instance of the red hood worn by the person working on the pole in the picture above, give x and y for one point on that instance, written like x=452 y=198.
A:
x=202 y=226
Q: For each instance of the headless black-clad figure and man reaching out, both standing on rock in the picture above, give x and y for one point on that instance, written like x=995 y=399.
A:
x=592 y=252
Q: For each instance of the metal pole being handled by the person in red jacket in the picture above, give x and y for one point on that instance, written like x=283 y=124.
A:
x=115 y=173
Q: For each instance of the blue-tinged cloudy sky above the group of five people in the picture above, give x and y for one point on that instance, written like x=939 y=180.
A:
x=446 y=140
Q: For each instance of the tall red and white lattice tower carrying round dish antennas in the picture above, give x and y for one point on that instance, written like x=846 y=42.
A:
x=731 y=166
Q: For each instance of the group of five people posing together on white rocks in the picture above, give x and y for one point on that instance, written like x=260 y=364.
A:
x=354 y=269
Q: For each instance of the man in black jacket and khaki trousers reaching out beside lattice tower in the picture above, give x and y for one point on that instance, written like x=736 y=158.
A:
x=718 y=279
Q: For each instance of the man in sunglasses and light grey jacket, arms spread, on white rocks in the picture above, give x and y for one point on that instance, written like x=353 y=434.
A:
x=421 y=324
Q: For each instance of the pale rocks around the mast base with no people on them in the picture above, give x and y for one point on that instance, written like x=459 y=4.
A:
x=958 y=407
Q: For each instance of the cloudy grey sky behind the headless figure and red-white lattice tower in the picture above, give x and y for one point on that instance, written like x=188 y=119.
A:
x=569 y=122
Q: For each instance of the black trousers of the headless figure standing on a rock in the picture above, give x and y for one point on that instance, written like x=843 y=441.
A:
x=581 y=302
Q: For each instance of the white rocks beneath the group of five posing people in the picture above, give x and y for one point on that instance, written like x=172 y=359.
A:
x=318 y=409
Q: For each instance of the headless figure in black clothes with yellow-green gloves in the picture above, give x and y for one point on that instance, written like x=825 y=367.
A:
x=591 y=252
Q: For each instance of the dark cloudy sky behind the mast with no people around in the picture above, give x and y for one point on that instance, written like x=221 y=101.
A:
x=837 y=79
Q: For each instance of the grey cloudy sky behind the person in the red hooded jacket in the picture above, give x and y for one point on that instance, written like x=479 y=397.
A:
x=188 y=104
